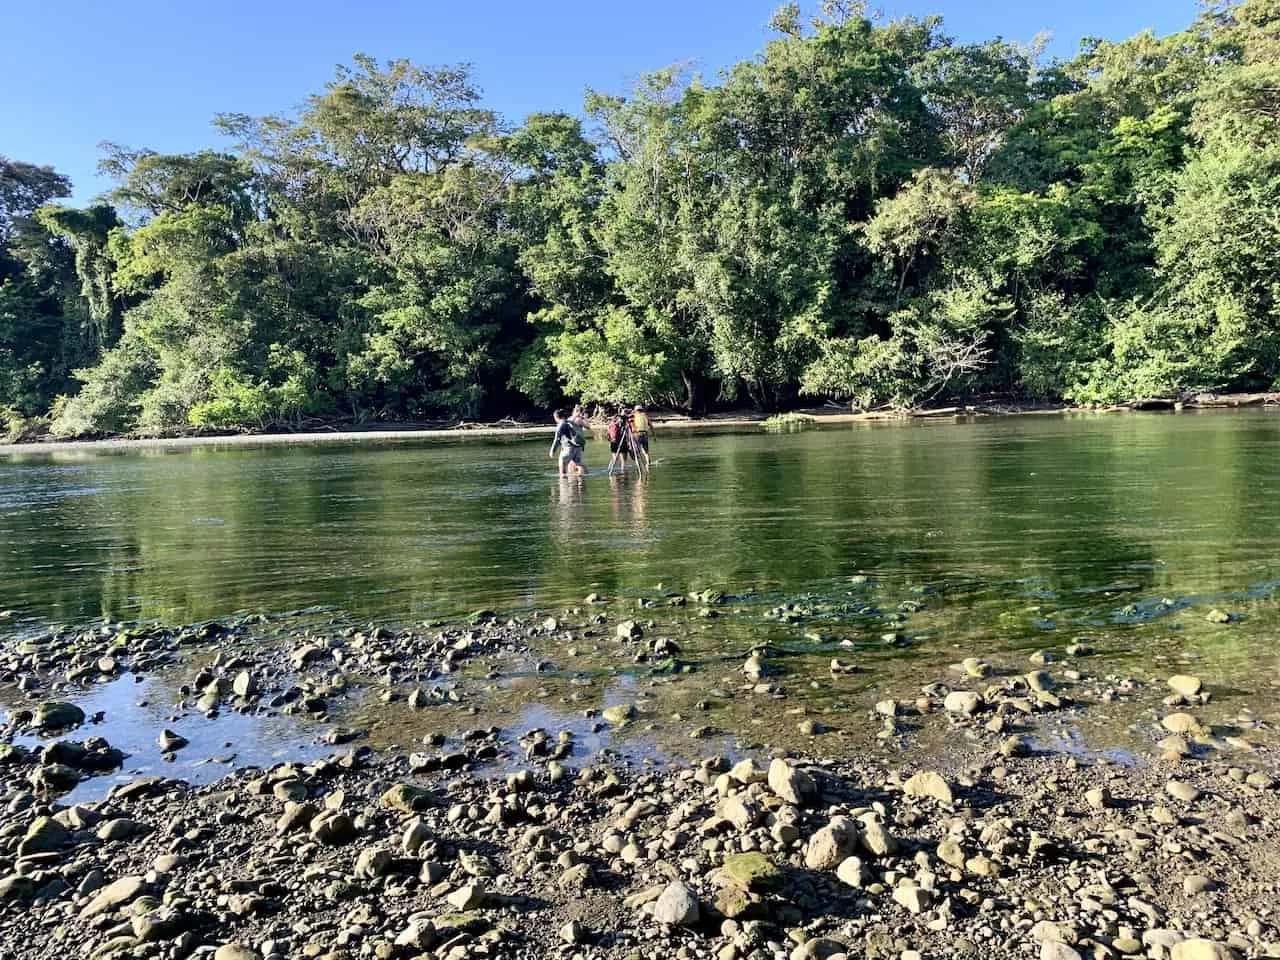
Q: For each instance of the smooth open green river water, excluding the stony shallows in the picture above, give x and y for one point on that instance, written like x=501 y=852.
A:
x=1036 y=509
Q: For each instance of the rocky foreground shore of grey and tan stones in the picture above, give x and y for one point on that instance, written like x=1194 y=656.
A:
x=524 y=844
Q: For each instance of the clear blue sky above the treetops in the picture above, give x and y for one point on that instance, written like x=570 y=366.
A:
x=153 y=74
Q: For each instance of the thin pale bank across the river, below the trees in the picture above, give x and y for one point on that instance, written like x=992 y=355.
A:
x=732 y=420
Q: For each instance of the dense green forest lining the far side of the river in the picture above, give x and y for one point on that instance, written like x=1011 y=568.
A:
x=867 y=212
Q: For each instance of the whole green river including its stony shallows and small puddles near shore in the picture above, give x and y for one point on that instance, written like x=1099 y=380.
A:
x=988 y=538
